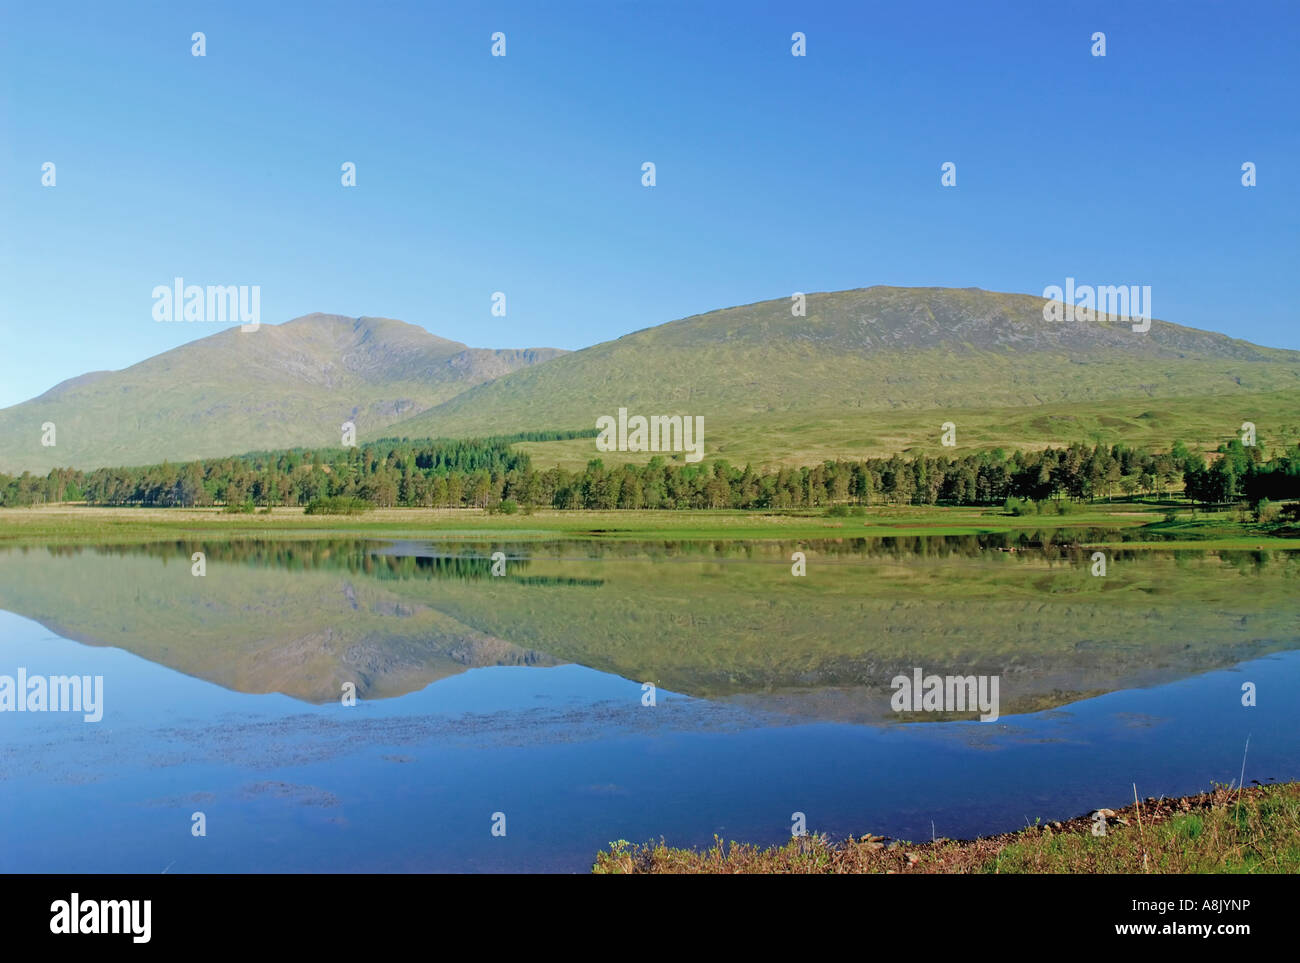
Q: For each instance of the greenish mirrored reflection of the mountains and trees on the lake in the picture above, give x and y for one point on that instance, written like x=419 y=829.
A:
x=714 y=621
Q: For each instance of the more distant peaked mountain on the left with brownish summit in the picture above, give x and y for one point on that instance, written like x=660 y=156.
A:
x=280 y=387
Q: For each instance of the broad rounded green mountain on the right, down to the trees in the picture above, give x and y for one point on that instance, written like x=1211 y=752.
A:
x=882 y=362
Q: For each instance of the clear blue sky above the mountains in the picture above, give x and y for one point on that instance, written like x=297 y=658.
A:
x=523 y=173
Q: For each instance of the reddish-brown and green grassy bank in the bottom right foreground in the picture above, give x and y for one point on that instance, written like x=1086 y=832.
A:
x=1223 y=831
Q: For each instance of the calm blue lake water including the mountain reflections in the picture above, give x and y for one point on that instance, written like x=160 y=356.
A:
x=523 y=693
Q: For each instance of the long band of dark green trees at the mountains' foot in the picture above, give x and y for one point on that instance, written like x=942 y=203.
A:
x=488 y=474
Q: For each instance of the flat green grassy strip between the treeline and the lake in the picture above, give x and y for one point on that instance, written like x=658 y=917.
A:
x=72 y=524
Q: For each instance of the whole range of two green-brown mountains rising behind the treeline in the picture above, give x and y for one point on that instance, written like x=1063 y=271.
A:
x=860 y=372
